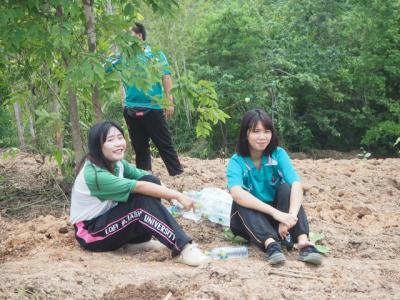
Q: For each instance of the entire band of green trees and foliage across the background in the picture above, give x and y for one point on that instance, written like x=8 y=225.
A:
x=327 y=71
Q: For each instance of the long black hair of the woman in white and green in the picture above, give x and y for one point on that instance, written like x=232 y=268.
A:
x=97 y=137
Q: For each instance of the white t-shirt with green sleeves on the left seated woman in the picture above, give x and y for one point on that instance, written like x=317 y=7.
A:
x=96 y=190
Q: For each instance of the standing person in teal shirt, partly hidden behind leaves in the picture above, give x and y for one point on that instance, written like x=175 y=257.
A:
x=144 y=116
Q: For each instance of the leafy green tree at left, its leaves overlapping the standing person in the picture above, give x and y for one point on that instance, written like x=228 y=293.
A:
x=46 y=41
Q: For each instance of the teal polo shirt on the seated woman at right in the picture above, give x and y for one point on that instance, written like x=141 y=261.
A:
x=261 y=183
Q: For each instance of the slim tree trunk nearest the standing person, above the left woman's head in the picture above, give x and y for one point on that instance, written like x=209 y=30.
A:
x=91 y=32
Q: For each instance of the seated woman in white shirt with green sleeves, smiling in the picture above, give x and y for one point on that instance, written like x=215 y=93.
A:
x=114 y=204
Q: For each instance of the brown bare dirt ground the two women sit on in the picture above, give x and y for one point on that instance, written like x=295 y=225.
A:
x=354 y=203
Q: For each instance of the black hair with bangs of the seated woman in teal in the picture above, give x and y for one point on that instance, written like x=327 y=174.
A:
x=249 y=122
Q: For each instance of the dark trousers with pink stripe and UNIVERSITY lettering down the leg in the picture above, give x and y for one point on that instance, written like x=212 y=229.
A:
x=134 y=221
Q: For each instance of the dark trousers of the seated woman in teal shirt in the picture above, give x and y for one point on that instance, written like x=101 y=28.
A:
x=258 y=227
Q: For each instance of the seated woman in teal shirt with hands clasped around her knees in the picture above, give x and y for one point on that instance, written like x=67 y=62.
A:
x=267 y=192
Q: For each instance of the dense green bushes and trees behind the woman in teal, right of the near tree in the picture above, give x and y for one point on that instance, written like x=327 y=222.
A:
x=327 y=71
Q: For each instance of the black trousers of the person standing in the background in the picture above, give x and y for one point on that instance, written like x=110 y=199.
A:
x=146 y=124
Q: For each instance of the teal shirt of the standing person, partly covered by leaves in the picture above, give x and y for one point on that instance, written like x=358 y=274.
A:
x=134 y=96
